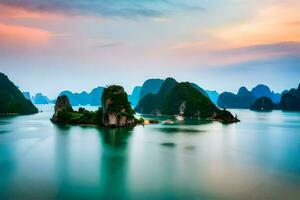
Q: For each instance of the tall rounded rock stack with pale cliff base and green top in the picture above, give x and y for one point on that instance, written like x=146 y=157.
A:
x=117 y=111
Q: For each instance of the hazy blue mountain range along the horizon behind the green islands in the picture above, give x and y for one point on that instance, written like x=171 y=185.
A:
x=244 y=98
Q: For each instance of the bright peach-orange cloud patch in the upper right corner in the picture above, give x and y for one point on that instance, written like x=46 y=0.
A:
x=271 y=25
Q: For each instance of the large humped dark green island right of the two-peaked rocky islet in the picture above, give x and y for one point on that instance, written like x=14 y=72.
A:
x=182 y=99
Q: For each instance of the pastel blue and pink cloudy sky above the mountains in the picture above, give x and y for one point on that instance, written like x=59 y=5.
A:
x=49 y=46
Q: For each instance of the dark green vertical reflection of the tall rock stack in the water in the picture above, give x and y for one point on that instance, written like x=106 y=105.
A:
x=114 y=163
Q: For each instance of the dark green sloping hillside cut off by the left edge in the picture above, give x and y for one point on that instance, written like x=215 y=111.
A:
x=12 y=100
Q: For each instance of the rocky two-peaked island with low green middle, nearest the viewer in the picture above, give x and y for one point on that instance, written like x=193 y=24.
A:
x=115 y=111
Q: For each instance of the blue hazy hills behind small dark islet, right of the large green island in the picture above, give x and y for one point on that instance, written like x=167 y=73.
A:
x=245 y=99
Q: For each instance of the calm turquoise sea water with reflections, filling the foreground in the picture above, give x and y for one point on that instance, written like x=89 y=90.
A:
x=258 y=158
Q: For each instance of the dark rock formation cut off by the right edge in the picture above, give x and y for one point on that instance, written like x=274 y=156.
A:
x=290 y=100
